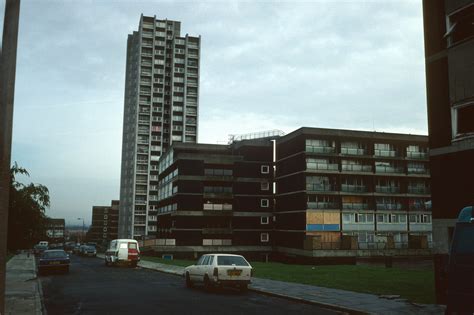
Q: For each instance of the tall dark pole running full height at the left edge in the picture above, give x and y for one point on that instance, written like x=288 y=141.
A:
x=7 y=92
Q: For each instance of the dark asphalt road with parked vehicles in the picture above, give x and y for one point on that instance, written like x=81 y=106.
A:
x=92 y=288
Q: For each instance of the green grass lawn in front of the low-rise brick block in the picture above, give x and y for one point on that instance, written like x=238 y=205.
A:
x=414 y=285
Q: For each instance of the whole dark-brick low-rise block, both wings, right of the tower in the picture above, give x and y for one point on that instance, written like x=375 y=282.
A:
x=312 y=193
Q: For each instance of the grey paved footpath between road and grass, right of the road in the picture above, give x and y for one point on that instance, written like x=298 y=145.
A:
x=341 y=300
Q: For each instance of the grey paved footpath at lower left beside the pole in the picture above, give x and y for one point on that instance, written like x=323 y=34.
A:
x=23 y=290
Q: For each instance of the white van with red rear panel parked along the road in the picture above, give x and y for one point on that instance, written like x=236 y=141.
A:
x=122 y=251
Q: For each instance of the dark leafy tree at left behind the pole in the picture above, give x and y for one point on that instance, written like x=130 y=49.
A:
x=26 y=213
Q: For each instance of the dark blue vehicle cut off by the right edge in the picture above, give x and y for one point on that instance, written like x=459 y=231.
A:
x=461 y=265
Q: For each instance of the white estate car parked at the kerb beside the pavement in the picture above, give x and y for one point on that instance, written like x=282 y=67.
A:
x=219 y=270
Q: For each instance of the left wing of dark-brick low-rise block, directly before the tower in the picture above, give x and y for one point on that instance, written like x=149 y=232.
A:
x=215 y=197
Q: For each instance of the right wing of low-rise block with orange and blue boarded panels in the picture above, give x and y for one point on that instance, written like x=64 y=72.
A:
x=354 y=190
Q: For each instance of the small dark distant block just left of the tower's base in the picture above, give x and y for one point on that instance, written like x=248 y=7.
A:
x=104 y=223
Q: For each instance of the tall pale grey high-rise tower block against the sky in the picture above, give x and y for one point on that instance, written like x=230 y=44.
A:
x=160 y=108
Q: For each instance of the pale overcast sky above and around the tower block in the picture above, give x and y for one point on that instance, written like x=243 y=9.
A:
x=266 y=65
